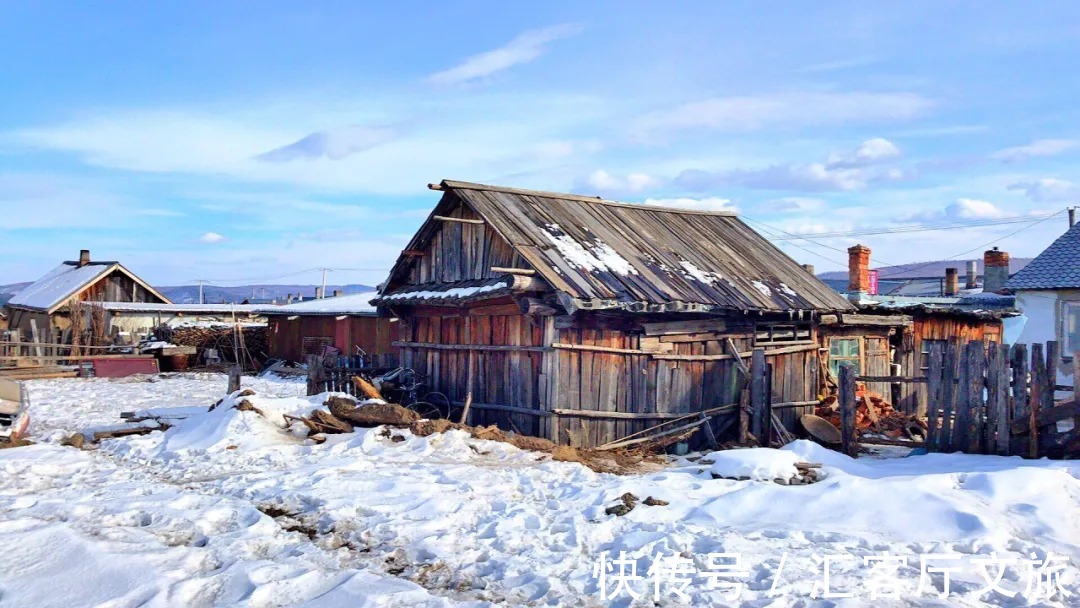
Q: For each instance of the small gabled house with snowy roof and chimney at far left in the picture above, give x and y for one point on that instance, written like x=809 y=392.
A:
x=46 y=304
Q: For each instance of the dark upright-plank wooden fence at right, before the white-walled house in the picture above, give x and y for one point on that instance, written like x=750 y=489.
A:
x=993 y=399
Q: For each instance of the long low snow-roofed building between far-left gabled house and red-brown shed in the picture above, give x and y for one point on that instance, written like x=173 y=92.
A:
x=137 y=319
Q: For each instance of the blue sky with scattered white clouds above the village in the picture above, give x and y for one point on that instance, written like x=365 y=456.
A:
x=250 y=142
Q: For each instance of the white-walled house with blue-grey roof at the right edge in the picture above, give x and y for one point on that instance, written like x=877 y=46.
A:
x=1048 y=292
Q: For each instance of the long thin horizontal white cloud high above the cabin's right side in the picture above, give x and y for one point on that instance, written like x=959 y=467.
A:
x=789 y=111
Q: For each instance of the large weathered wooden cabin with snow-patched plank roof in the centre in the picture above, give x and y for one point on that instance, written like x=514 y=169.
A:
x=584 y=320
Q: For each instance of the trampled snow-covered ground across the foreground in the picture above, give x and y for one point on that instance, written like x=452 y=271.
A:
x=232 y=509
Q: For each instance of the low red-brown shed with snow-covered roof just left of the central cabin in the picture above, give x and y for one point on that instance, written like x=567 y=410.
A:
x=344 y=323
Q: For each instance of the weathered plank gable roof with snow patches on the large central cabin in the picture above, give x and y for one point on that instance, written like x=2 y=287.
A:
x=605 y=254
